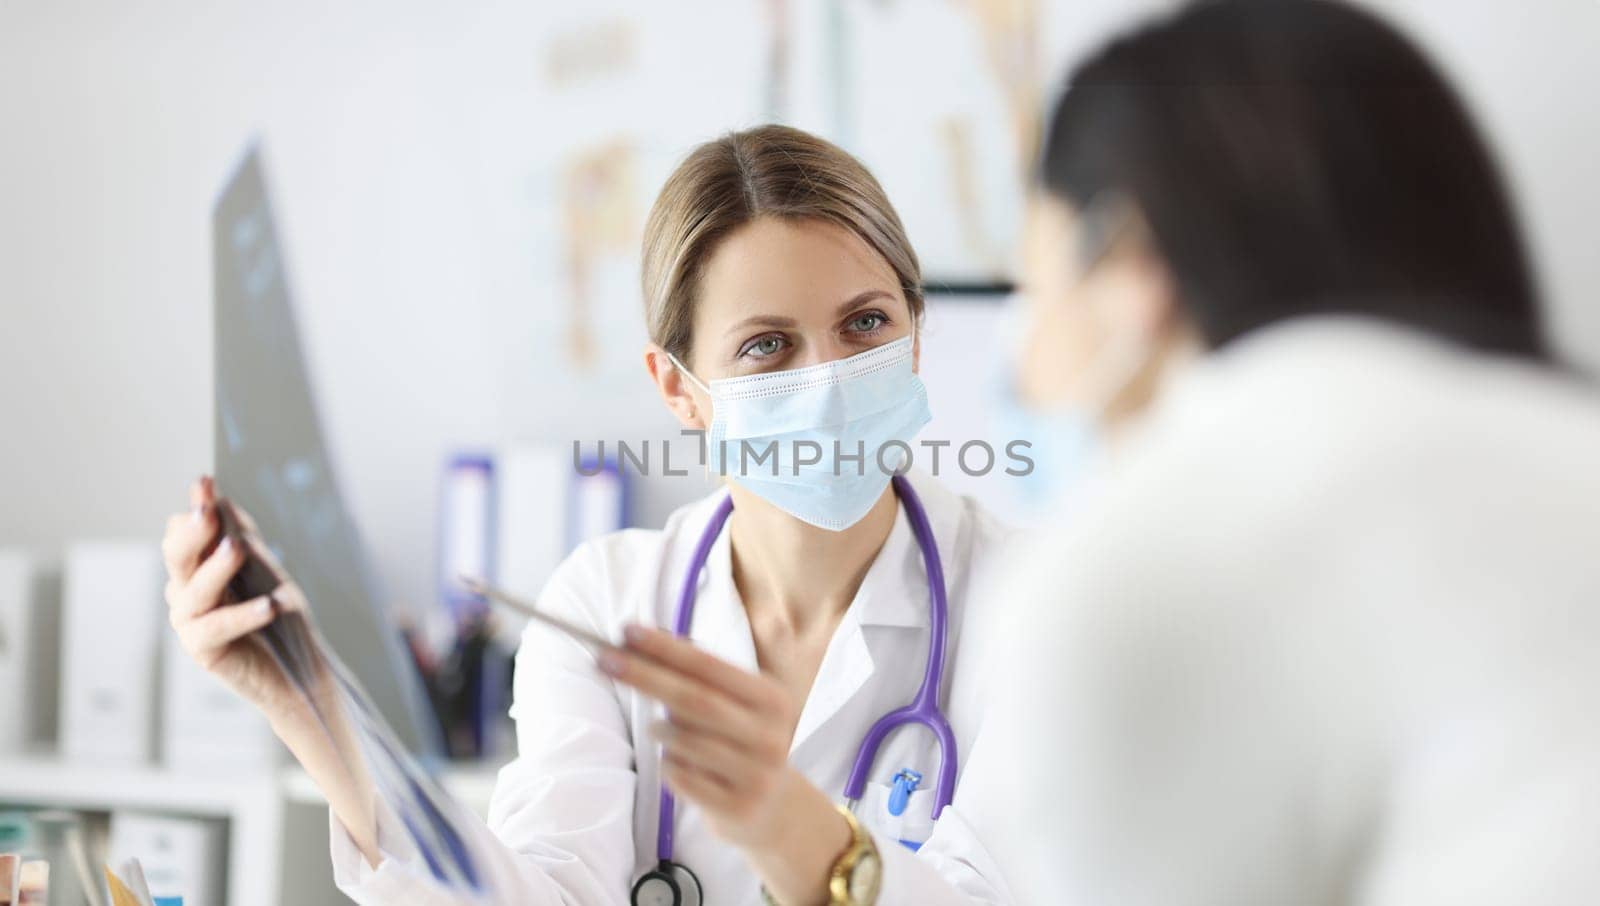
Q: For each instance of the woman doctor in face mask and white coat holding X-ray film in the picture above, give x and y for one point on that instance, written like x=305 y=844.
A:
x=778 y=622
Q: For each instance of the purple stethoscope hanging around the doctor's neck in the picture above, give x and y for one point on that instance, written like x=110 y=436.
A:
x=671 y=883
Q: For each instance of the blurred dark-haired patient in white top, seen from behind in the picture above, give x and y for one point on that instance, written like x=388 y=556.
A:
x=1319 y=622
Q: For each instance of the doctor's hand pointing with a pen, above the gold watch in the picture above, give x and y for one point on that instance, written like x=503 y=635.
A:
x=726 y=748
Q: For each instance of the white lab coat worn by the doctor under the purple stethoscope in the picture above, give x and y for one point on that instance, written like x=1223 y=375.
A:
x=574 y=819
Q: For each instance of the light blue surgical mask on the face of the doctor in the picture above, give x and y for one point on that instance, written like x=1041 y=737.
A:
x=818 y=443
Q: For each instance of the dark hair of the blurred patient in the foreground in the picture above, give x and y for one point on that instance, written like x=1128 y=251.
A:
x=1295 y=158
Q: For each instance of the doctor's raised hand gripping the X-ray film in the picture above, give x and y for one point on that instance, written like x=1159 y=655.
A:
x=214 y=630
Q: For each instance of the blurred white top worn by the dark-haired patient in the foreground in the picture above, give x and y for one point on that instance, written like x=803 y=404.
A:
x=1329 y=633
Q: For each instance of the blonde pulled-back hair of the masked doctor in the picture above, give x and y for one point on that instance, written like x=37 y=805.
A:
x=767 y=172
